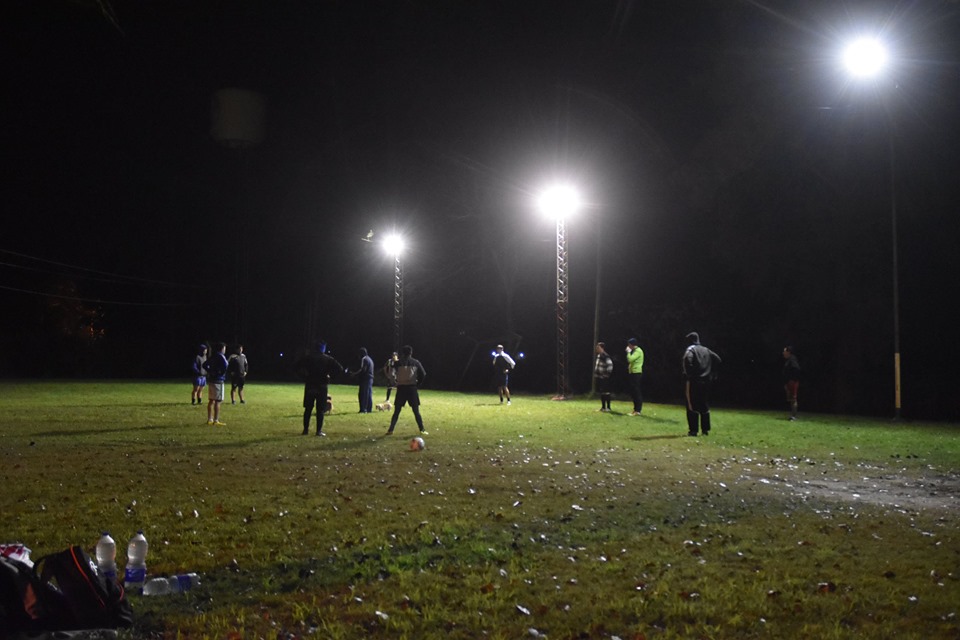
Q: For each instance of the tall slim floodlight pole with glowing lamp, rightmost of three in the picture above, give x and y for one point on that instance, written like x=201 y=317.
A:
x=865 y=59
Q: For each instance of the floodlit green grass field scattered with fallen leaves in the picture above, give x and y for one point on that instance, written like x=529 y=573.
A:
x=539 y=518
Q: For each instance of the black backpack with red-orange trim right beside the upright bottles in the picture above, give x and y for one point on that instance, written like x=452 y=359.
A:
x=92 y=601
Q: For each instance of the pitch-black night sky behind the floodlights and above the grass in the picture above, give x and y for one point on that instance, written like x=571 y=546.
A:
x=737 y=183
